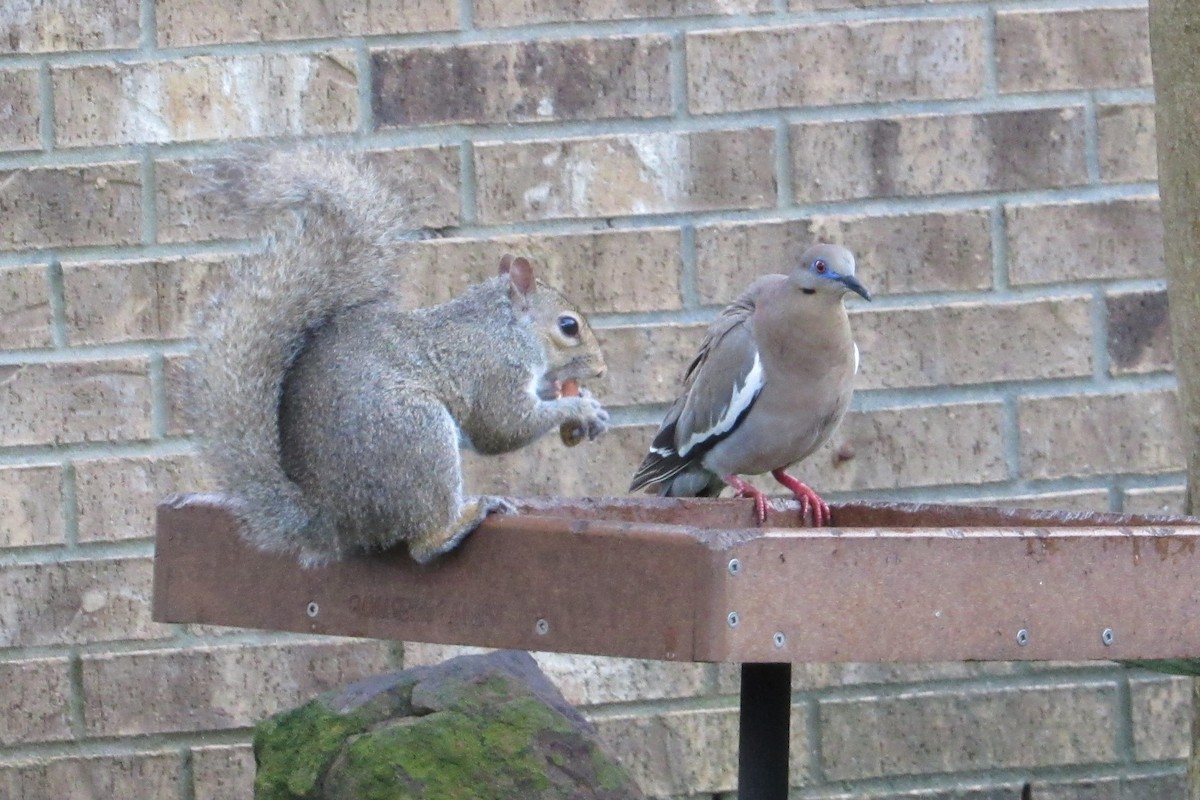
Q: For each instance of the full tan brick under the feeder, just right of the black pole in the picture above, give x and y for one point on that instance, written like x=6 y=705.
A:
x=929 y=732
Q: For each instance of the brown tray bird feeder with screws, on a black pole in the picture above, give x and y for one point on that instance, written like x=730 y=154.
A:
x=694 y=580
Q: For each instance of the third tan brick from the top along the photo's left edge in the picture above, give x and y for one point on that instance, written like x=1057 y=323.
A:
x=70 y=207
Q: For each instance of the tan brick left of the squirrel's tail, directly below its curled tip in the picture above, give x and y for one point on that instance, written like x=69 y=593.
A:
x=124 y=302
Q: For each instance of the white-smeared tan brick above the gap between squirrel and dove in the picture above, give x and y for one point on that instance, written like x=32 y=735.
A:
x=649 y=173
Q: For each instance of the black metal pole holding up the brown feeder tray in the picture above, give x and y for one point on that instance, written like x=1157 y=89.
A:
x=764 y=731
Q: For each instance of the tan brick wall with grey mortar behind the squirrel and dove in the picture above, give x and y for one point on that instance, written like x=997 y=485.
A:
x=991 y=163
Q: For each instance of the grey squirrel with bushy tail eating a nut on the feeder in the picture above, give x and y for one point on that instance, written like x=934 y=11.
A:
x=333 y=414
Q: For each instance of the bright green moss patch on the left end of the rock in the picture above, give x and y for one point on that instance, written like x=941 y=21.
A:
x=295 y=749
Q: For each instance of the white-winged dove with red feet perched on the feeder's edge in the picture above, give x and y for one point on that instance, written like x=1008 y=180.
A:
x=772 y=381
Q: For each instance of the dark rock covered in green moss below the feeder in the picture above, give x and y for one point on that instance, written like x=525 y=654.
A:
x=485 y=727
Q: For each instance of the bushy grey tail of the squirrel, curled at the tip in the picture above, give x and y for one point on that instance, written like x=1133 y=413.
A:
x=333 y=232
